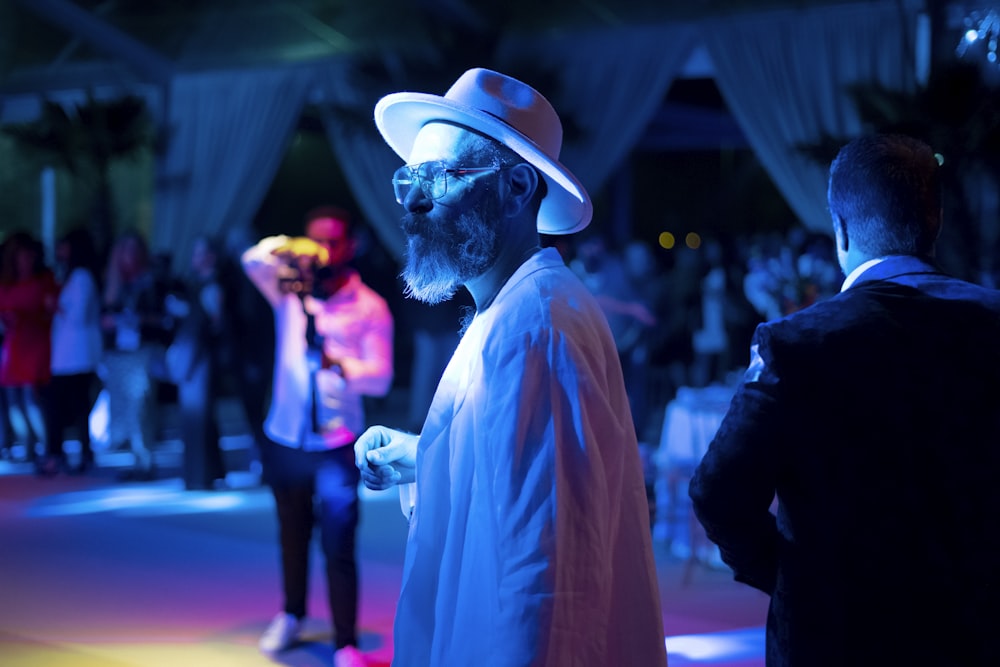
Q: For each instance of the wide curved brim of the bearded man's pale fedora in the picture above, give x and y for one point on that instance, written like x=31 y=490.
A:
x=566 y=207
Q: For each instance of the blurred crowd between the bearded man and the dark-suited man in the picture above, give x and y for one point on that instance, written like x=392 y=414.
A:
x=685 y=316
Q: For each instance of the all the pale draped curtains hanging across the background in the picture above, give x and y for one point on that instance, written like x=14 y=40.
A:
x=783 y=75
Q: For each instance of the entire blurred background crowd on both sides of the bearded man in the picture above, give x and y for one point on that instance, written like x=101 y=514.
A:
x=137 y=330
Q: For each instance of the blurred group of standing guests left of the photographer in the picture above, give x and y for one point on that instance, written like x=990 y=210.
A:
x=131 y=334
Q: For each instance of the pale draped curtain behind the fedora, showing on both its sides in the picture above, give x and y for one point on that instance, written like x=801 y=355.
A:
x=607 y=86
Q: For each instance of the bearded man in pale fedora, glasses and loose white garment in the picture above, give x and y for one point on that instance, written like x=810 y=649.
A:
x=529 y=538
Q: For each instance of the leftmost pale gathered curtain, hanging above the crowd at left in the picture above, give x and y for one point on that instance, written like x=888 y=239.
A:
x=227 y=133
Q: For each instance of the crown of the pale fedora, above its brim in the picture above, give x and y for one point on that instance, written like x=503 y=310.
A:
x=515 y=103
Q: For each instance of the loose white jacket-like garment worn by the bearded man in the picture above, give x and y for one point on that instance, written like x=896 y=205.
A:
x=530 y=543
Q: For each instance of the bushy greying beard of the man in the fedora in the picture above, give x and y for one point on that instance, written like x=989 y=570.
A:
x=439 y=263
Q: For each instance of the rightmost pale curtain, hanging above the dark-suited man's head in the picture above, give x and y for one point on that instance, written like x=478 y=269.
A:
x=784 y=76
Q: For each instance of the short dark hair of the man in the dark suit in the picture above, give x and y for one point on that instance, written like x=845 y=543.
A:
x=887 y=189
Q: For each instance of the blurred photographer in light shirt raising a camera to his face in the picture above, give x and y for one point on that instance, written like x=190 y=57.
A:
x=333 y=345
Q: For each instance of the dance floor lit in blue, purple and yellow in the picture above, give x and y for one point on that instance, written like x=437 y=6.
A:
x=98 y=572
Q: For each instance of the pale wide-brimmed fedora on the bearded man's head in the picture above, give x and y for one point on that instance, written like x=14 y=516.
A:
x=513 y=113
